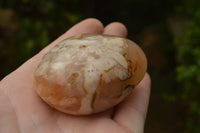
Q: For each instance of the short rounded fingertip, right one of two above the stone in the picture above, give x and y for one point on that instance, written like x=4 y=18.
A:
x=116 y=28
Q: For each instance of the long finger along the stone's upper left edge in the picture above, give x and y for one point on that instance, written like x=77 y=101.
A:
x=90 y=25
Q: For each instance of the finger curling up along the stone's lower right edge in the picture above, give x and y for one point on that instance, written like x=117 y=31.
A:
x=131 y=113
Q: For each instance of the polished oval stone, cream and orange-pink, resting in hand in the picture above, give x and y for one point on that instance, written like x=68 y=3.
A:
x=87 y=73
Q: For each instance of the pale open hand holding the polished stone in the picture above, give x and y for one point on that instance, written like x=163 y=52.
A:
x=22 y=111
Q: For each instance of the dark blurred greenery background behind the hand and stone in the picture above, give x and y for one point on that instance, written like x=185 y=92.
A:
x=167 y=30
